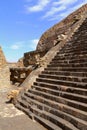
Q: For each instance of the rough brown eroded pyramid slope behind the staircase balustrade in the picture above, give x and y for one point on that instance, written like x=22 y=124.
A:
x=47 y=39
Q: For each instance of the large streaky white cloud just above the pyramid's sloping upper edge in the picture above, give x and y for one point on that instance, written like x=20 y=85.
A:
x=62 y=8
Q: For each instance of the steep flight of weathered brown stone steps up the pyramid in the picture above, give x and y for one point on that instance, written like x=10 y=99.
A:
x=58 y=98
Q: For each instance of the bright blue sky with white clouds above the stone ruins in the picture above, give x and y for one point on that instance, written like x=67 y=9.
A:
x=22 y=22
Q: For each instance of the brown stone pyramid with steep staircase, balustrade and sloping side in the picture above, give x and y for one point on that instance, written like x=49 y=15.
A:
x=54 y=93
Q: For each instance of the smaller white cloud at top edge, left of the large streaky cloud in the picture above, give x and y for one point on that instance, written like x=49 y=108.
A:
x=38 y=7
